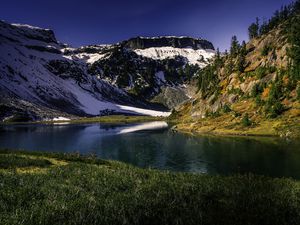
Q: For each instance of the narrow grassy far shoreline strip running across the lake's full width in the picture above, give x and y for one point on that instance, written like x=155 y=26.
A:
x=266 y=128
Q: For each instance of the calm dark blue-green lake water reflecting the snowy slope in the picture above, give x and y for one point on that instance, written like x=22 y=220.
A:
x=154 y=145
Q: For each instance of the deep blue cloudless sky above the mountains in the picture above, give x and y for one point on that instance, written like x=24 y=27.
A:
x=82 y=22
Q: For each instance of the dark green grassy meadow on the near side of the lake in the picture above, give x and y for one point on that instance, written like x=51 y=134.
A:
x=45 y=188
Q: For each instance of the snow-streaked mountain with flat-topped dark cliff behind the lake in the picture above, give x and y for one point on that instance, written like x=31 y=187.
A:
x=42 y=78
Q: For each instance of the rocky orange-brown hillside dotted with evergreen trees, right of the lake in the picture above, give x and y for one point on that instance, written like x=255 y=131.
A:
x=254 y=89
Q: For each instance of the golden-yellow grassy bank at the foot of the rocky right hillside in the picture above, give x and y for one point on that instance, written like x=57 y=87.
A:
x=231 y=123
